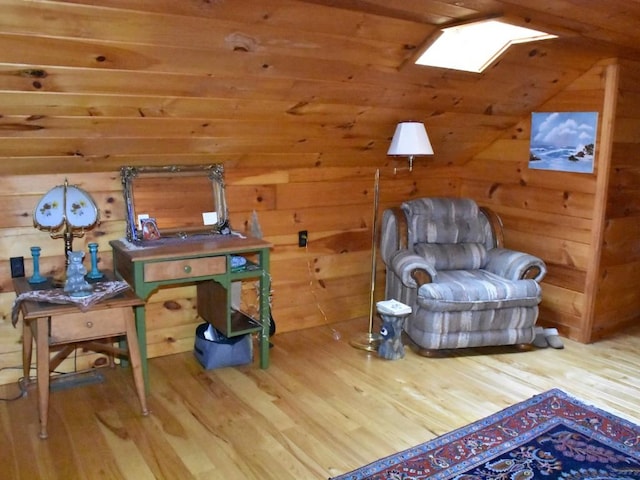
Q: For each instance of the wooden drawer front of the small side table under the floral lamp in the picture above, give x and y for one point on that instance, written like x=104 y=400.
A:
x=80 y=326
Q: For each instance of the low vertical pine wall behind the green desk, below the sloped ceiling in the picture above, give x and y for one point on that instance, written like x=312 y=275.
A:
x=326 y=282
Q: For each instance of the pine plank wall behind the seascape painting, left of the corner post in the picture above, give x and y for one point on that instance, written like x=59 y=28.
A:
x=547 y=213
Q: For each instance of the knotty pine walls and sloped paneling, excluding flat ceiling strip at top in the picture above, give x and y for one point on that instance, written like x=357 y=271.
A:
x=301 y=131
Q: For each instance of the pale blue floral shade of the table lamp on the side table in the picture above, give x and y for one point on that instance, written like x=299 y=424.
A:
x=65 y=207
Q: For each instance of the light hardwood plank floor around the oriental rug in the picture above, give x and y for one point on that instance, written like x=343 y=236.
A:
x=321 y=409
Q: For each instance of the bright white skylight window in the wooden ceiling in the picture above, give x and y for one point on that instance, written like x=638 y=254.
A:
x=474 y=46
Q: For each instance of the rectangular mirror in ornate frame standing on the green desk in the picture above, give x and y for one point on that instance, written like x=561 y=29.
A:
x=174 y=201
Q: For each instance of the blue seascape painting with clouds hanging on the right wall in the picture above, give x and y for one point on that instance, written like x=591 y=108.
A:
x=563 y=141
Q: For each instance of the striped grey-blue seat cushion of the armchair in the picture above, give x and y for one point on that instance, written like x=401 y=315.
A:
x=456 y=290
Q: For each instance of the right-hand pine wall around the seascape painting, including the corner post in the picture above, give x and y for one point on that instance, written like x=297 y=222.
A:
x=583 y=225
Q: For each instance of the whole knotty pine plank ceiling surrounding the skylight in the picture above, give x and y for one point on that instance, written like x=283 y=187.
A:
x=309 y=81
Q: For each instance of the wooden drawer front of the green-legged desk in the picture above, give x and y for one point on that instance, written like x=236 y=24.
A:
x=185 y=268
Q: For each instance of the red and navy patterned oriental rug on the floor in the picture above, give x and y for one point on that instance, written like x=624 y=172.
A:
x=549 y=436
